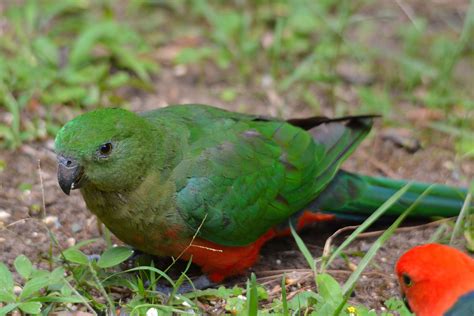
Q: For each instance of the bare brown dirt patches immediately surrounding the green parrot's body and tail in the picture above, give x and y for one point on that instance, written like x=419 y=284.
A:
x=22 y=231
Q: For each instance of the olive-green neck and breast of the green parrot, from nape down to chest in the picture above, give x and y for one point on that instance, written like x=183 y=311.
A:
x=147 y=210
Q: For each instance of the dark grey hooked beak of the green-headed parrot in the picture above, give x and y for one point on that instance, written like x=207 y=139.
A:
x=70 y=174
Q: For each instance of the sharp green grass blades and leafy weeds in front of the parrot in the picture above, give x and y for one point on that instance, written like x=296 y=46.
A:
x=101 y=286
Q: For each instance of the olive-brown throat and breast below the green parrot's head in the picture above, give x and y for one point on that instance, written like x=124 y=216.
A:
x=143 y=217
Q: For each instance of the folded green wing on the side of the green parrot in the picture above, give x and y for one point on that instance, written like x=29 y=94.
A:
x=240 y=175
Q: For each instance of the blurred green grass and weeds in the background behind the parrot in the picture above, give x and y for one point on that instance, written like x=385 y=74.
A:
x=81 y=53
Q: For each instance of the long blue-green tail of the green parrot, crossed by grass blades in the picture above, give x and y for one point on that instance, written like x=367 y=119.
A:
x=352 y=194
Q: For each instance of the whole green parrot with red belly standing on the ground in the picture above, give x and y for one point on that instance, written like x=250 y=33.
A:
x=198 y=181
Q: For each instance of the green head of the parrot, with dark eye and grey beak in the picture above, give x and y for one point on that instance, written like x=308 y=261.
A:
x=108 y=148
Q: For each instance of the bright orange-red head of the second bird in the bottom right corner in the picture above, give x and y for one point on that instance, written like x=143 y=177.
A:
x=433 y=276
